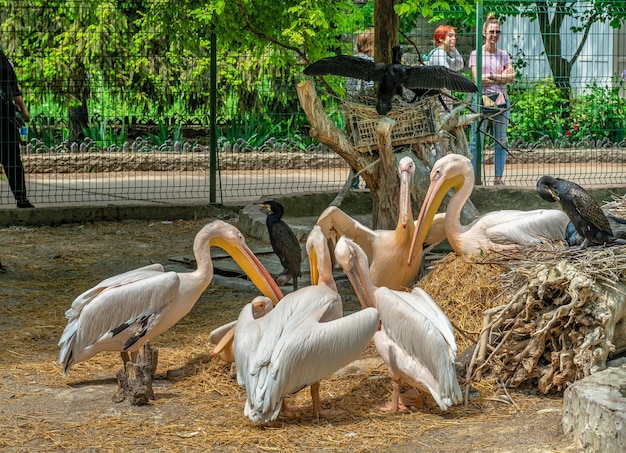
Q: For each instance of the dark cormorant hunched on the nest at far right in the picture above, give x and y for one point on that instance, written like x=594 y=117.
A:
x=582 y=209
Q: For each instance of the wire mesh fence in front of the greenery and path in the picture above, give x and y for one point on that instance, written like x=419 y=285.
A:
x=147 y=129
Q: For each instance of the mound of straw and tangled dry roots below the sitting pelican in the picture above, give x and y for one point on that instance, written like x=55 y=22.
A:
x=549 y=315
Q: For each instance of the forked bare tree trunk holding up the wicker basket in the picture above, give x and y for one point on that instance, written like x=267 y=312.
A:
x=379 y=167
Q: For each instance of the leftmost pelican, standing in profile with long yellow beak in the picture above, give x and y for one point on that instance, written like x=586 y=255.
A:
x=122 y=312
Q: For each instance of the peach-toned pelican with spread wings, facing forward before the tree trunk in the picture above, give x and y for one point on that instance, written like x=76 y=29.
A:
x=387 y=250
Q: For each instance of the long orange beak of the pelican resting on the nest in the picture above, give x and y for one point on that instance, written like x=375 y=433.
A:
x=439 y=187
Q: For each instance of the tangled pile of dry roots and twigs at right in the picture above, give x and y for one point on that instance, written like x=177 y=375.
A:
x=560 y=322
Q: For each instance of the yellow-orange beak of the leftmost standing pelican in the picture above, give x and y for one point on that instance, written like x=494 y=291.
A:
x=253 y=268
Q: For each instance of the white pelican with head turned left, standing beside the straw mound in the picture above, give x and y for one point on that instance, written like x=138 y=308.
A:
x=416 y=339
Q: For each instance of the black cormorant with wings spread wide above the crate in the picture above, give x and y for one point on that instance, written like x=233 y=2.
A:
x=391 y=77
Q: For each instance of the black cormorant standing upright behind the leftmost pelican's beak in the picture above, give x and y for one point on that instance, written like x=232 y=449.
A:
x=284 y=241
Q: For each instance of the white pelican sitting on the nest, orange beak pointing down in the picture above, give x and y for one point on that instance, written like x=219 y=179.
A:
x=494 y=231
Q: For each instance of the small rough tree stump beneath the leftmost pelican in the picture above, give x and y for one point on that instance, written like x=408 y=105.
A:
x=135 y=380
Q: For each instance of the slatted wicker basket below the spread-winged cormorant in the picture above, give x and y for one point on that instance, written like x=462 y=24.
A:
x=413 y=120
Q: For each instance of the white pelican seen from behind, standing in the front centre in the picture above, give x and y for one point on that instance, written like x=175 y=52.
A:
x=304 y=339
